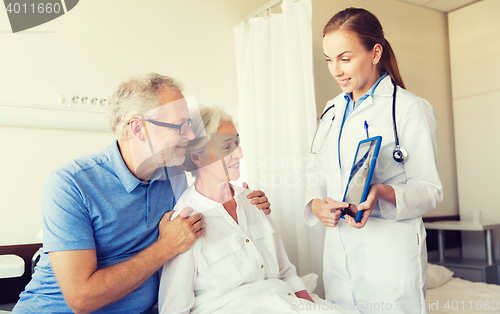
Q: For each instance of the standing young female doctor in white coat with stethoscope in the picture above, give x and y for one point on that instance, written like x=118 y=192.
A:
x=380 y=263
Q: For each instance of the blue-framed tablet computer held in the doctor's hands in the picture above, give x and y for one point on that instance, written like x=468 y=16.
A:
x=361 y=175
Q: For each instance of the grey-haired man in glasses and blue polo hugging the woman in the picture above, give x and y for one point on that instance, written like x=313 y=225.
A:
x=107 y=227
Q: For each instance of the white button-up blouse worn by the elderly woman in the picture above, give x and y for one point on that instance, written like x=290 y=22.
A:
x=228 y=255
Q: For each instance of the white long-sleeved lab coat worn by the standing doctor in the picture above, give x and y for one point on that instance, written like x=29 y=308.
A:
x=382 y=267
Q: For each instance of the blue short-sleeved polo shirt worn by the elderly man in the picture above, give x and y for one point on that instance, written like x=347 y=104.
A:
x=95 y=202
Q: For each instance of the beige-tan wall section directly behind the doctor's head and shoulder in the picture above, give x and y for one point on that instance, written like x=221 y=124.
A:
x=419 y=38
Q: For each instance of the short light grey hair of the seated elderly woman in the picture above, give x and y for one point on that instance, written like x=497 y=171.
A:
x=204 y=125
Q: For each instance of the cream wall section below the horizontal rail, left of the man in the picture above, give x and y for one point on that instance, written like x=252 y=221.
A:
x=27 y=160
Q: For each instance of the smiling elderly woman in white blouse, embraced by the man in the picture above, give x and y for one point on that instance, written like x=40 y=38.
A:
x=240 y=262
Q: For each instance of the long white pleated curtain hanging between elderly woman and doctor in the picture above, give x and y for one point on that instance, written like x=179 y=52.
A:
x=277 y=120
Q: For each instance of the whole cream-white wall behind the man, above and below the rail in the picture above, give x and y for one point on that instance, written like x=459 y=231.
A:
x=92 y=48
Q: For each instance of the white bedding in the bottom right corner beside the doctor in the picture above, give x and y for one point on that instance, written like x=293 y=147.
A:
x=464 y=297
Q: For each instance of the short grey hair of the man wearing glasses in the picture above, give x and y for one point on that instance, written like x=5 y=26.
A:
x=135 y=97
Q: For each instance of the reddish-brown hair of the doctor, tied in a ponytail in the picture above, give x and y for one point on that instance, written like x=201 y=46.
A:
x=370 y=32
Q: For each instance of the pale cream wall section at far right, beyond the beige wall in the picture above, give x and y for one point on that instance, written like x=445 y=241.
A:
x=475 y=68
